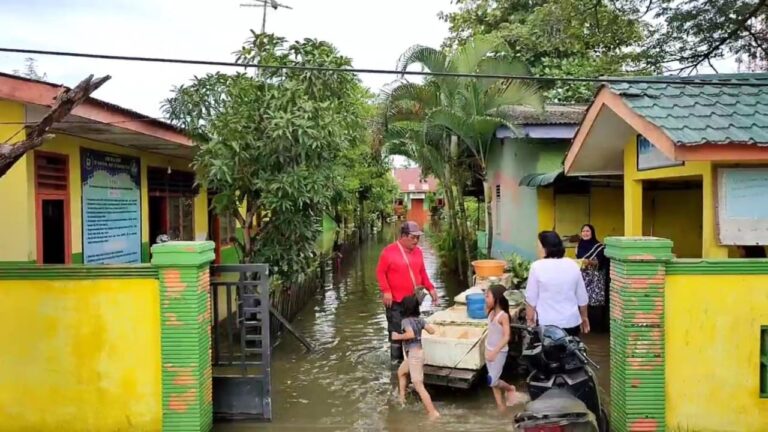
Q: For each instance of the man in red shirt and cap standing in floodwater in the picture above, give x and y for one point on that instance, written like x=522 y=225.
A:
x=399 y=272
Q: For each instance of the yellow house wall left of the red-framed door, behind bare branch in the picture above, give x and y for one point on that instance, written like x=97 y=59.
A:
x=17 y=222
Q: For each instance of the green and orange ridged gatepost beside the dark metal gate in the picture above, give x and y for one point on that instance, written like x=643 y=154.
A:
x=185 y=307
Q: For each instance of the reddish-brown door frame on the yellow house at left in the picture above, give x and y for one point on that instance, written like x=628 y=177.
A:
x=41 y=195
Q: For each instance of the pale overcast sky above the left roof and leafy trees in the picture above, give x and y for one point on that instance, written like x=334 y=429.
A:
x=372 y=32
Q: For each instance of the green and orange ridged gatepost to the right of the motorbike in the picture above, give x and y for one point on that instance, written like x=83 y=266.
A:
x=638 y=273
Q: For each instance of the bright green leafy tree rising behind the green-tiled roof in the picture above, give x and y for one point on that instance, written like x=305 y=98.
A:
x=561 y=38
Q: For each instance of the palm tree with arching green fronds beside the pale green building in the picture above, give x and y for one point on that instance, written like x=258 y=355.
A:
x=467 y=108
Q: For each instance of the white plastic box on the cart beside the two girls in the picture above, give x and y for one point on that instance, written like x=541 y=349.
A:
x=452 y=346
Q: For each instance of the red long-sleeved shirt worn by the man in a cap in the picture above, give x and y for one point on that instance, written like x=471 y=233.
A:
x=393 y=276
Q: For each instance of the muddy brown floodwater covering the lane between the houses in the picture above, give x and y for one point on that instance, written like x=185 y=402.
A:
x=346 y=385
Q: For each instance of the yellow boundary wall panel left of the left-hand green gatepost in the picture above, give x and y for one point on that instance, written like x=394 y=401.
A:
x=80 y=355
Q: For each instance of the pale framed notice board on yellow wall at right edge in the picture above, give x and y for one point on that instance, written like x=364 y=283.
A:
x=742 y=206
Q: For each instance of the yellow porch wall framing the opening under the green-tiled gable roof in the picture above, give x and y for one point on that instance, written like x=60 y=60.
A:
x=633 y=200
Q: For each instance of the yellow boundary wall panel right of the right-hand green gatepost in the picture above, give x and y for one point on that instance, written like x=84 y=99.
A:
x=712 y=352
